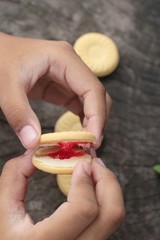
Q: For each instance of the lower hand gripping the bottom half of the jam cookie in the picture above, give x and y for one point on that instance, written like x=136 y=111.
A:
x=93 y=211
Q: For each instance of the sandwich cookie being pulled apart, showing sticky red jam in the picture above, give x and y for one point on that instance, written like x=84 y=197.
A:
x=59 y=152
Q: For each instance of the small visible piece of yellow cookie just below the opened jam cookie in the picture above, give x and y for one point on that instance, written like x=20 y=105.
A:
x=64 y=182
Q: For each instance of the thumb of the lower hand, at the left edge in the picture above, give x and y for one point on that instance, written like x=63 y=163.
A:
x=13 y=186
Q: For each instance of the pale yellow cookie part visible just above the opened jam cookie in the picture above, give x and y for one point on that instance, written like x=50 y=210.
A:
x=68 y=122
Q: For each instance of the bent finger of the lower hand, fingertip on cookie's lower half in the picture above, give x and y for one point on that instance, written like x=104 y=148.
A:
x=72 y=217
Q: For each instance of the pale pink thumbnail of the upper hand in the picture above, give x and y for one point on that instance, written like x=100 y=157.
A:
x=27 y=136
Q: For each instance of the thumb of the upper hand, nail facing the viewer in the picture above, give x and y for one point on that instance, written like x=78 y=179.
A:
x=16 y=108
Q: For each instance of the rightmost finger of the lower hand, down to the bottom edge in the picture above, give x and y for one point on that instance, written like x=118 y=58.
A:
x=110 y=201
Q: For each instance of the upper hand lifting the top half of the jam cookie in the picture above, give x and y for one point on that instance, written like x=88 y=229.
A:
x=52 y=71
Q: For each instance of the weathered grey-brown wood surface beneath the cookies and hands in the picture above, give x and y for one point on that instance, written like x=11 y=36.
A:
x=132 y=142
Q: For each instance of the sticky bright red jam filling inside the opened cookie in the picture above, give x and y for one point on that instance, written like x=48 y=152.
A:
x=69 y=149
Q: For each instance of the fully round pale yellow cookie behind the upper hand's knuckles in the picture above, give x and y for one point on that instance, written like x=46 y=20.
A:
x=98 y=52
